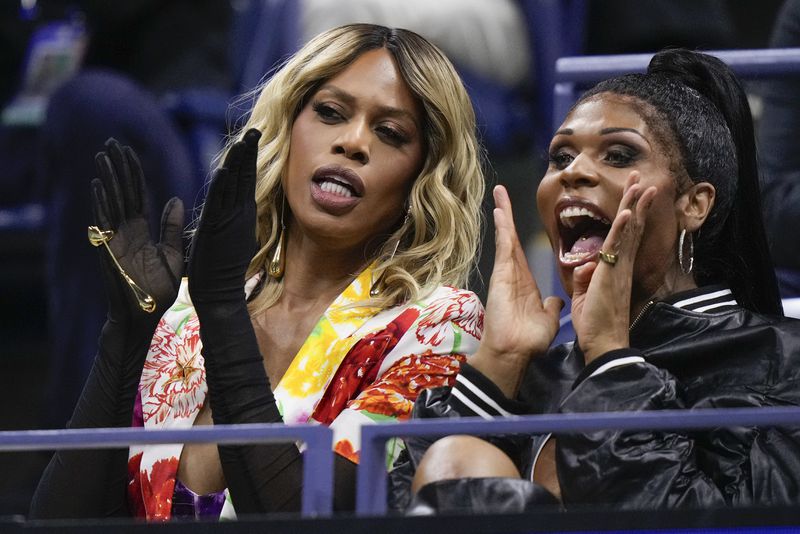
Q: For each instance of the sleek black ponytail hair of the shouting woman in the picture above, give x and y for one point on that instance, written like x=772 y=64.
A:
x=709 y=118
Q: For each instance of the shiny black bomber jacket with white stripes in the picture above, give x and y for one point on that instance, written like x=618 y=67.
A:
x=698 y=349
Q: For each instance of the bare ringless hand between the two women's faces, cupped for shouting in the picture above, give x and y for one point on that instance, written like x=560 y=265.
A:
x=518 y=324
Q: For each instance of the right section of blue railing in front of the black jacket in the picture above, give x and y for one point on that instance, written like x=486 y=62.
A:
x=371 y=478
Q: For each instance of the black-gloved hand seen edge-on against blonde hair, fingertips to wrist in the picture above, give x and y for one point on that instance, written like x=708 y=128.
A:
x=224 y=242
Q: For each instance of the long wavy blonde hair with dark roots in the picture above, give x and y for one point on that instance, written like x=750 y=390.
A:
x=439 y=240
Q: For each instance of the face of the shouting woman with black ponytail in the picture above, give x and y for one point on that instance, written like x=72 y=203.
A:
x=591 y=156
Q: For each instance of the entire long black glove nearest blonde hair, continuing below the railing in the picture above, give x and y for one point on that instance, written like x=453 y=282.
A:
x=261 y=478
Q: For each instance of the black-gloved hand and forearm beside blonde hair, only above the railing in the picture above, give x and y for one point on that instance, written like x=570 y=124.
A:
x=222 y=248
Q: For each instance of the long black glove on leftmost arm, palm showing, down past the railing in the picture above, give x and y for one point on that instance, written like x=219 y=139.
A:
x=92 y=483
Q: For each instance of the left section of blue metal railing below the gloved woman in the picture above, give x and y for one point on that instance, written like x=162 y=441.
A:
x=317 y=497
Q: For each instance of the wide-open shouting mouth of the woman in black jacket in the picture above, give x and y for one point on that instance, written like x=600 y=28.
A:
x=582 y=231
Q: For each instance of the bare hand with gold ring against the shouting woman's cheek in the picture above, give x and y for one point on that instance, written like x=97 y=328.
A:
x=601 y=297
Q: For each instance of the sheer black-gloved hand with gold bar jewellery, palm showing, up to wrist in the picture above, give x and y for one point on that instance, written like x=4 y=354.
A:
x=119 y=203
